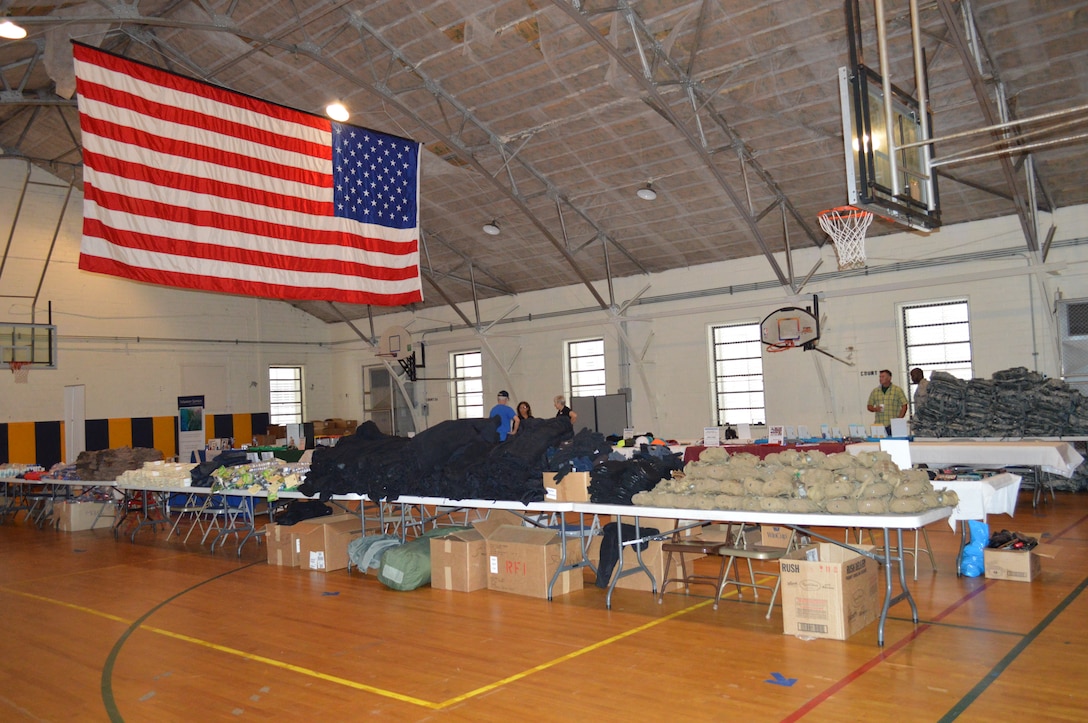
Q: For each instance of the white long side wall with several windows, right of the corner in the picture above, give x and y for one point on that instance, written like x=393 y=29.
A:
x=1011 y=313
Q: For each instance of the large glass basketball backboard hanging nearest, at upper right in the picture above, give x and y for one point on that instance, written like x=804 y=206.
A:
x=886 y=173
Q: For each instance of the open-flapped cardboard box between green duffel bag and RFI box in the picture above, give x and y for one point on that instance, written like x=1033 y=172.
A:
x=460 y=560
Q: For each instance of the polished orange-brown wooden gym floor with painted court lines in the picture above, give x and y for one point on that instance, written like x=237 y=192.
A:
x=97 y=630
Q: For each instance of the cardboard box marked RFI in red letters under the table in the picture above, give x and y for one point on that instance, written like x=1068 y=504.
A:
x=524 y=560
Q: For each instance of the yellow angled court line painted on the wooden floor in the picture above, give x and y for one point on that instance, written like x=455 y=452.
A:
x=373 y=690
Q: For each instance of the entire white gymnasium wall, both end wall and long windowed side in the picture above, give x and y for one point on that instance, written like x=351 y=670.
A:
x=132 y=345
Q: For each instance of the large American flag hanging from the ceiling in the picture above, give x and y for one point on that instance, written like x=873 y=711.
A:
x=191 y=185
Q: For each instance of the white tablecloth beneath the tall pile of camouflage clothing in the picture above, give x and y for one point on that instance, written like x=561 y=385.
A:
x=1055 y=457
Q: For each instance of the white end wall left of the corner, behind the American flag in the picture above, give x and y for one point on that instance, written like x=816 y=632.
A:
x=139 y=347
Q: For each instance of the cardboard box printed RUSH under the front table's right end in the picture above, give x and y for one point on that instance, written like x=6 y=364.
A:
x=832 y=597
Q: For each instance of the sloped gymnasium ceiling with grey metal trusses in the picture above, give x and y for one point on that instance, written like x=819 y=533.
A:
x=548 y=116
